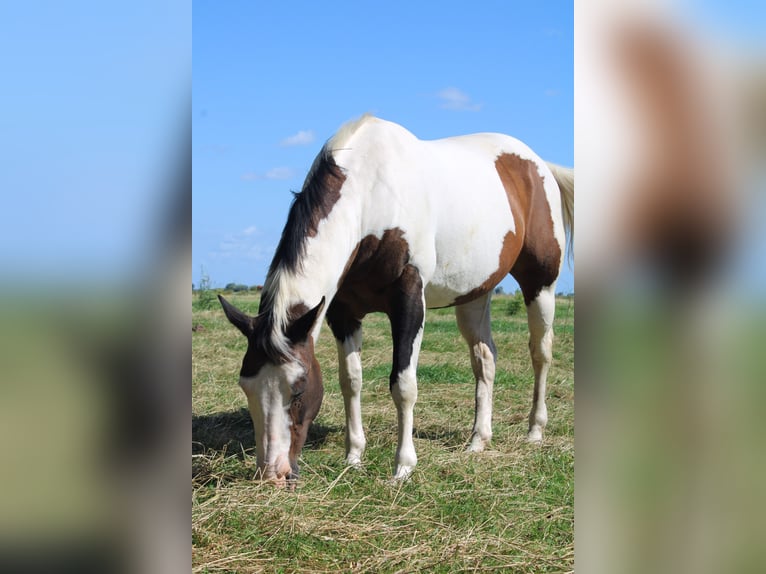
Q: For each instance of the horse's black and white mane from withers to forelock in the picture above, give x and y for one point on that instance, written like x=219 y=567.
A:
x=321 y=190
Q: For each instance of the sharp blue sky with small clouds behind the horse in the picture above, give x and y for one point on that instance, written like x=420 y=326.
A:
x=273 y=80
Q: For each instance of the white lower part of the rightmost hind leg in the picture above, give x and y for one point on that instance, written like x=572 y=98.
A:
x=540 y=312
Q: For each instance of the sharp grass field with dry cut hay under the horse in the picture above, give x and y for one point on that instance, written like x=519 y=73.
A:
x=509 y=509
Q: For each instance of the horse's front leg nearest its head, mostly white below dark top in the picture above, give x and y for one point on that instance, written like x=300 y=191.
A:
x=348 y=338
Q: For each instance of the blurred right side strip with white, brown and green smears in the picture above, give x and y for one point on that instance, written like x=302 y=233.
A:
x=669 y=146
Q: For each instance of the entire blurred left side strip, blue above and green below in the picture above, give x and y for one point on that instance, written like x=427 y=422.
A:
x=95 y=262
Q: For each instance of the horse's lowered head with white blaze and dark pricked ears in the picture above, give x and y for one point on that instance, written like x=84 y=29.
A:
x=283 y=384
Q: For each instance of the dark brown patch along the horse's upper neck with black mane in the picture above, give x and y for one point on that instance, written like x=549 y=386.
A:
x=313 y=204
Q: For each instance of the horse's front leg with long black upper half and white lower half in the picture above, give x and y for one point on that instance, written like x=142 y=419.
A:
x=407 y=316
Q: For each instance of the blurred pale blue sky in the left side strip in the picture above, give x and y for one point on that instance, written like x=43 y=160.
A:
x=93 y=106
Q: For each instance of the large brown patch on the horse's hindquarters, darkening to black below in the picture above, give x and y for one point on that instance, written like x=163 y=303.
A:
x=538 y=261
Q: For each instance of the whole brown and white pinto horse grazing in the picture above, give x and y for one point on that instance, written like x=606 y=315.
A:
x=387 y=222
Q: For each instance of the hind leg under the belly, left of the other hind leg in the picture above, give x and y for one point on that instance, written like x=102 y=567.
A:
x=473 y=319
